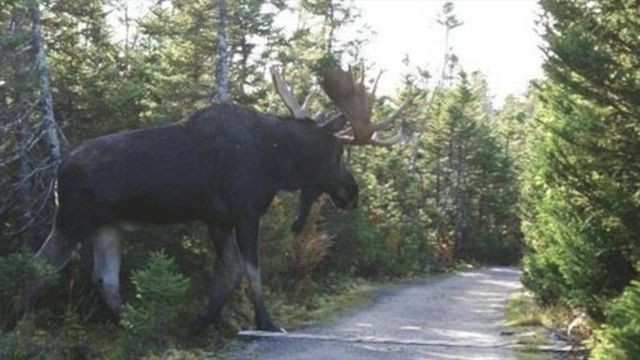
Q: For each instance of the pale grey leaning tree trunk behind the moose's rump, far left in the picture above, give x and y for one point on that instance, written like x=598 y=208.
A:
x=48 y=119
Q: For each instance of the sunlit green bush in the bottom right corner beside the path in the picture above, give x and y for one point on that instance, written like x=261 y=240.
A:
x=619 y=337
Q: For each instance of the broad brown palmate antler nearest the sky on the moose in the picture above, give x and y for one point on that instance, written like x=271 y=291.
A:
x=356 y=104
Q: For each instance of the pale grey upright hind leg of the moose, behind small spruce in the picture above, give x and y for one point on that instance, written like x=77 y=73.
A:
x=106 y=266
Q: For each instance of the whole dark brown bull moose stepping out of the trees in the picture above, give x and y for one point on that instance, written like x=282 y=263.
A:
x=222 y=166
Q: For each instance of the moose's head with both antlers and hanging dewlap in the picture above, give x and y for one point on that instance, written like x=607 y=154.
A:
x=355 y=106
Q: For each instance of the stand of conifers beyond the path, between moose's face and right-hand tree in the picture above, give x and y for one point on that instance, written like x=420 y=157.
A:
x=449 y=194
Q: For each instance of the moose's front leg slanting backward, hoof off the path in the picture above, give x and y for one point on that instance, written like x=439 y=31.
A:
x=226 y=277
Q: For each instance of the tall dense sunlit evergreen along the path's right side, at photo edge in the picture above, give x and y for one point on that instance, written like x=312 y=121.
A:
x=581 y=178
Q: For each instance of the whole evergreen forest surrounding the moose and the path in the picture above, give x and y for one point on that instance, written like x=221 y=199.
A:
x=548 y=181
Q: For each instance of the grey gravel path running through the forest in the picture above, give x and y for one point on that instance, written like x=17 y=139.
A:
x=459 y=317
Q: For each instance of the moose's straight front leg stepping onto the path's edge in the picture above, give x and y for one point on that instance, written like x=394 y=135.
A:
x=247 y=236
